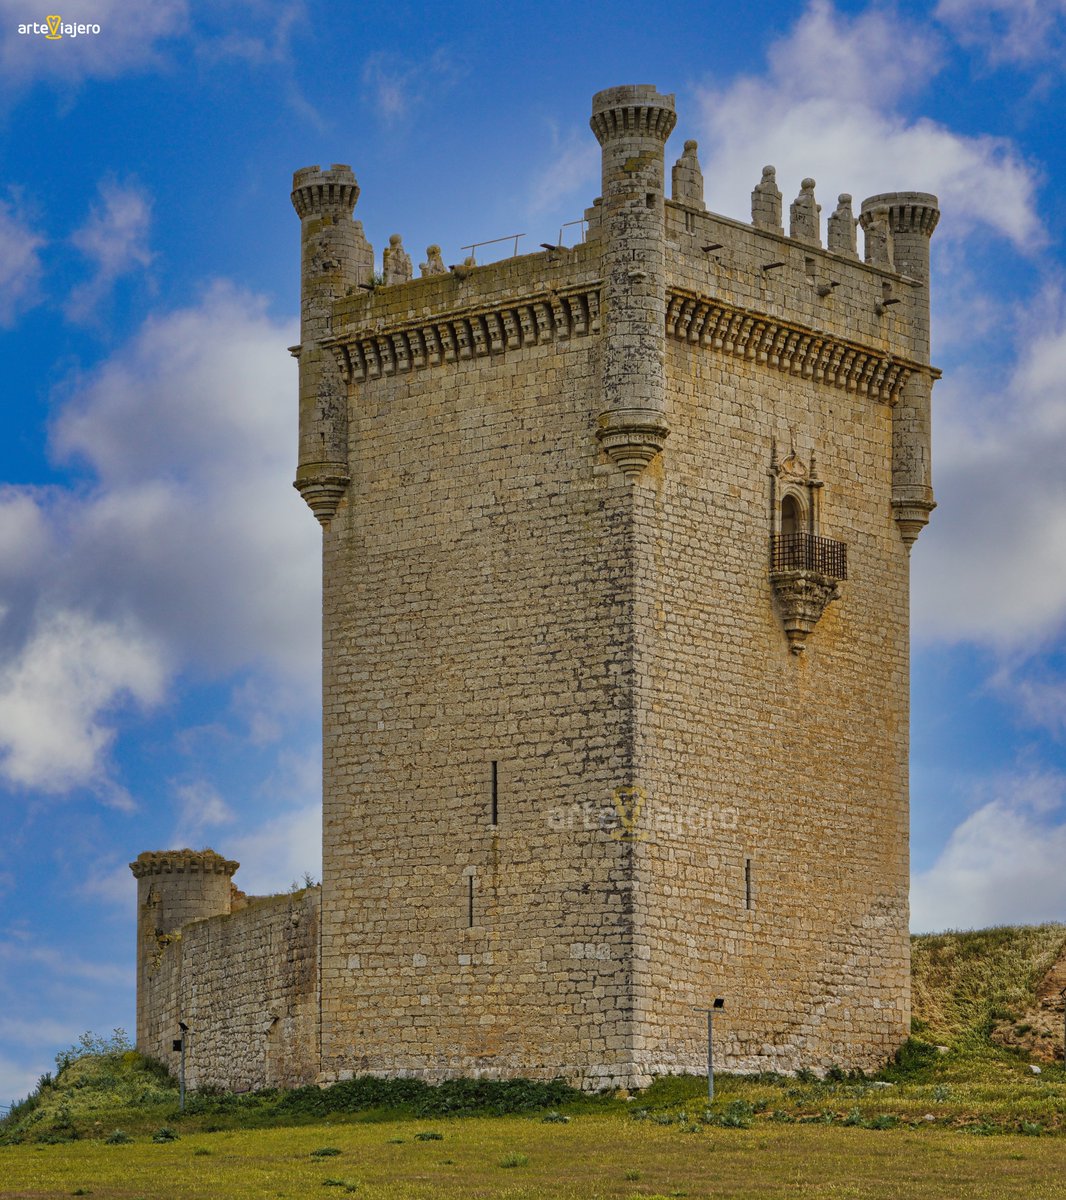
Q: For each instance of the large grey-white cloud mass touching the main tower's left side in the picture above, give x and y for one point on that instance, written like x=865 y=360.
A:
x=187 y=549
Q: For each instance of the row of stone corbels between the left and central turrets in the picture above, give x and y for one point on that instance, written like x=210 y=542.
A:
x=469 y=333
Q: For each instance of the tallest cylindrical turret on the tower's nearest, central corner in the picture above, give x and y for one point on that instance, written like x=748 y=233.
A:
x=632 y=125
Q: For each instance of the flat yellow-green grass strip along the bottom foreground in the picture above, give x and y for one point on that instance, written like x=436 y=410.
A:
x=592 y=1156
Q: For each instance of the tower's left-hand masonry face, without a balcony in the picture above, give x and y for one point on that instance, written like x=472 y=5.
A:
x=476 y=590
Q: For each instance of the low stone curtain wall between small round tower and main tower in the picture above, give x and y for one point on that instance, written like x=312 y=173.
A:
x=247 y=986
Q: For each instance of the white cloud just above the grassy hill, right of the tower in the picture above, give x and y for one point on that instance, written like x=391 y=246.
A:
x=1003 y=865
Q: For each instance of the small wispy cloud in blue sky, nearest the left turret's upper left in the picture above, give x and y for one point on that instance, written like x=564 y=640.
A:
x=115 y=239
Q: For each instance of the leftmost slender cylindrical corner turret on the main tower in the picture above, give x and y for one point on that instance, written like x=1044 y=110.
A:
x=336 y=260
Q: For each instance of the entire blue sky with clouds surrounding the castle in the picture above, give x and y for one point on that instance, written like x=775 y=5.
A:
x=159 y=577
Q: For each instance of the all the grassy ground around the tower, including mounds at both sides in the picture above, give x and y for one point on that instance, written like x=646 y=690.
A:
x=956 y=1115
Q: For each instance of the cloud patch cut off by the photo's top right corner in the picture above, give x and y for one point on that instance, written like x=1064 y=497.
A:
x=1016 y=32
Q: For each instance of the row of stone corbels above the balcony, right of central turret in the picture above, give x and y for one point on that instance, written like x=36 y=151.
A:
x=788 y=347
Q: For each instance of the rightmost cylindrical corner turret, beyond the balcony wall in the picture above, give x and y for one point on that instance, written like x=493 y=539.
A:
x=912 y=218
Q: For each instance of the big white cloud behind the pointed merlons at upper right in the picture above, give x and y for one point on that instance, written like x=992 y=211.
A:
x=833 y=106
